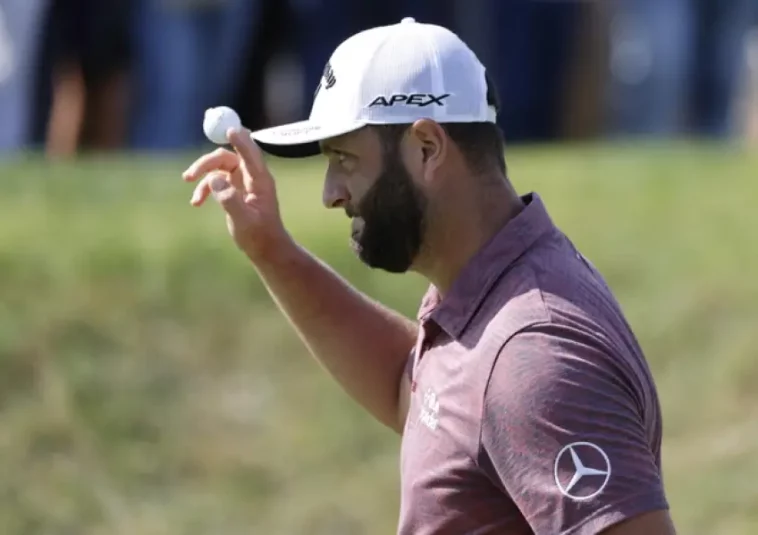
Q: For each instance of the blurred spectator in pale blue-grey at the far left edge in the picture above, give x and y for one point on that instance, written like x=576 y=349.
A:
x=20 y=29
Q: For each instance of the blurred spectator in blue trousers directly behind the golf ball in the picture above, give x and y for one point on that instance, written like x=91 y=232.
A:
x=190 y=55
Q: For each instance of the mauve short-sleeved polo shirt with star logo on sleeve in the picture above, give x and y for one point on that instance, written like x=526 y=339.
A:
x=532 y=407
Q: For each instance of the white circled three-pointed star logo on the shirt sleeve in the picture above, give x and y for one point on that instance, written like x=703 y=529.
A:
x=581 y=470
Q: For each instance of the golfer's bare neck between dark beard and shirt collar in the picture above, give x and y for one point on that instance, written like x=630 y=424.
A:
x=462 y=228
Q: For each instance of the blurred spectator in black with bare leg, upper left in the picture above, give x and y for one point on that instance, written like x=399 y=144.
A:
x=82 y=90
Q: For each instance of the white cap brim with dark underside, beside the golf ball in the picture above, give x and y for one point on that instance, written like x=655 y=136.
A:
x=301 y=139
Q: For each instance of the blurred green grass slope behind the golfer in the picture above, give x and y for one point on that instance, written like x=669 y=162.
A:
x=148 y=386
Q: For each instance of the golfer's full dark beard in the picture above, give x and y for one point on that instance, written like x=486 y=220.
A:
x=388 y=230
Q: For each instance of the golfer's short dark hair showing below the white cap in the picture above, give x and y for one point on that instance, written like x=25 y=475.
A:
x=482 y=144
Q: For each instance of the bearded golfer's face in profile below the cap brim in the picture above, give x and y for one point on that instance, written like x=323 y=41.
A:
x=379 y=194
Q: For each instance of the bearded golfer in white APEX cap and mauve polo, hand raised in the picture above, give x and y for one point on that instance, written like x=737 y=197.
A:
x=524 y=401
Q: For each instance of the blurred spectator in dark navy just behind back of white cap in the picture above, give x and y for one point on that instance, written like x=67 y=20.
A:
x=527 y=46
